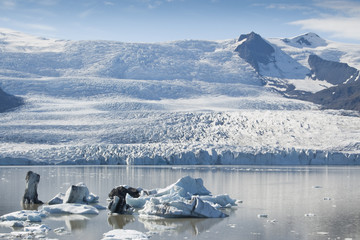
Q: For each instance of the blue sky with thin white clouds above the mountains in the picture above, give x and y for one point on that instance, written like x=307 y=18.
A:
x=167 y=20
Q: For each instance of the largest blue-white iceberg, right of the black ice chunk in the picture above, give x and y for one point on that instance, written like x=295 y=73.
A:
x=186 y=198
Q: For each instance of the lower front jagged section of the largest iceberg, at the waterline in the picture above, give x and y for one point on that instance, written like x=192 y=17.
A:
x=183 y=208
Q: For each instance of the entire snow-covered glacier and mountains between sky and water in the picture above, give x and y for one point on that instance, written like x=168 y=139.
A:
x=237 y=101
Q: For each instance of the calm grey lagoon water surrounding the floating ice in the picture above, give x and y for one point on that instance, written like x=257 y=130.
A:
x=285 y=194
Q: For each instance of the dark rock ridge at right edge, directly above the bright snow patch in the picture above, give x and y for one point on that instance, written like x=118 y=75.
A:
x=330 y=71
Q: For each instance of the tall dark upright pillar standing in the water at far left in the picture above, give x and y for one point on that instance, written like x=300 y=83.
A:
x=31 y=196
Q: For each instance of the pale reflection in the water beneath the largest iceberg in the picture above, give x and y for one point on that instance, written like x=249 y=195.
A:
x=193 y=226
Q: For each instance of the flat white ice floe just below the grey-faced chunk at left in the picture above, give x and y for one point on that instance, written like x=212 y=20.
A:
x=70 y=208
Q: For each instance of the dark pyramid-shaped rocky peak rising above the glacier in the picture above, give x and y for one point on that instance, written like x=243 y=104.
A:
x=254 y=50
